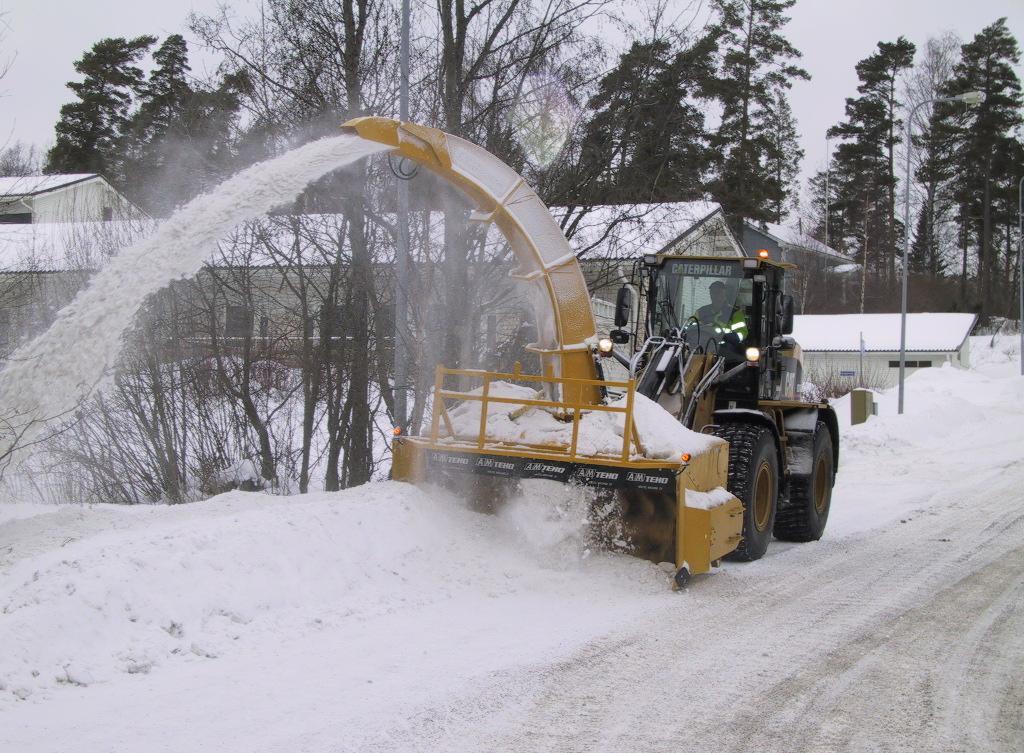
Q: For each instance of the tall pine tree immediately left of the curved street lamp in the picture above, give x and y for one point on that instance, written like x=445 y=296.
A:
x=865 y=175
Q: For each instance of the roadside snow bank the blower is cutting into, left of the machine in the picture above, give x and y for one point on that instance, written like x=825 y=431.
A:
x=178 y=585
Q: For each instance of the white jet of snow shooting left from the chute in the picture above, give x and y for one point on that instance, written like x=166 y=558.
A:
x=53 y=374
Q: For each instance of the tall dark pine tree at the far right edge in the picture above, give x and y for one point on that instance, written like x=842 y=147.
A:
x=982 y=142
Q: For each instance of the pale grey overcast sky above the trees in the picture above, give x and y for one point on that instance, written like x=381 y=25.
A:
x=49 y=35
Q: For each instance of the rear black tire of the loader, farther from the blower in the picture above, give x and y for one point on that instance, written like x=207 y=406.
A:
x=804 y=517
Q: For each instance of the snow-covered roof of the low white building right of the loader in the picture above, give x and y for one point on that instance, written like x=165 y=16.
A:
x=842 y=332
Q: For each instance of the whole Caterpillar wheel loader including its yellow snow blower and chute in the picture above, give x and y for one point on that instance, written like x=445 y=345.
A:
x=713 y=351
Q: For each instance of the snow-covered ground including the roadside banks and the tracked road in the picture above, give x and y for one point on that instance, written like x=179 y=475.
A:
x=393 y=619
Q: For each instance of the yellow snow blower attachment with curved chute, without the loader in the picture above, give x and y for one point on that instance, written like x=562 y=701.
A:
x=654 y=492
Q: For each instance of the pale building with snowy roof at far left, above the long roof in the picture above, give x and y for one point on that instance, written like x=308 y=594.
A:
x=68 y=198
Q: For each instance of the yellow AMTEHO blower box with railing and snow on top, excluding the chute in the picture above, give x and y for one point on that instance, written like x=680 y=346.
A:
x=482 y=441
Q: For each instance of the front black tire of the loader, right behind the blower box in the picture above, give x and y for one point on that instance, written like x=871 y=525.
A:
x=754 y=479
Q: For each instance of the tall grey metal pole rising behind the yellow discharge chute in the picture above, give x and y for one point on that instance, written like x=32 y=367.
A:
x=402 y=253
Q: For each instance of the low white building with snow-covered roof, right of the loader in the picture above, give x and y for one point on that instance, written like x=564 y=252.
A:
x=832 y=346
